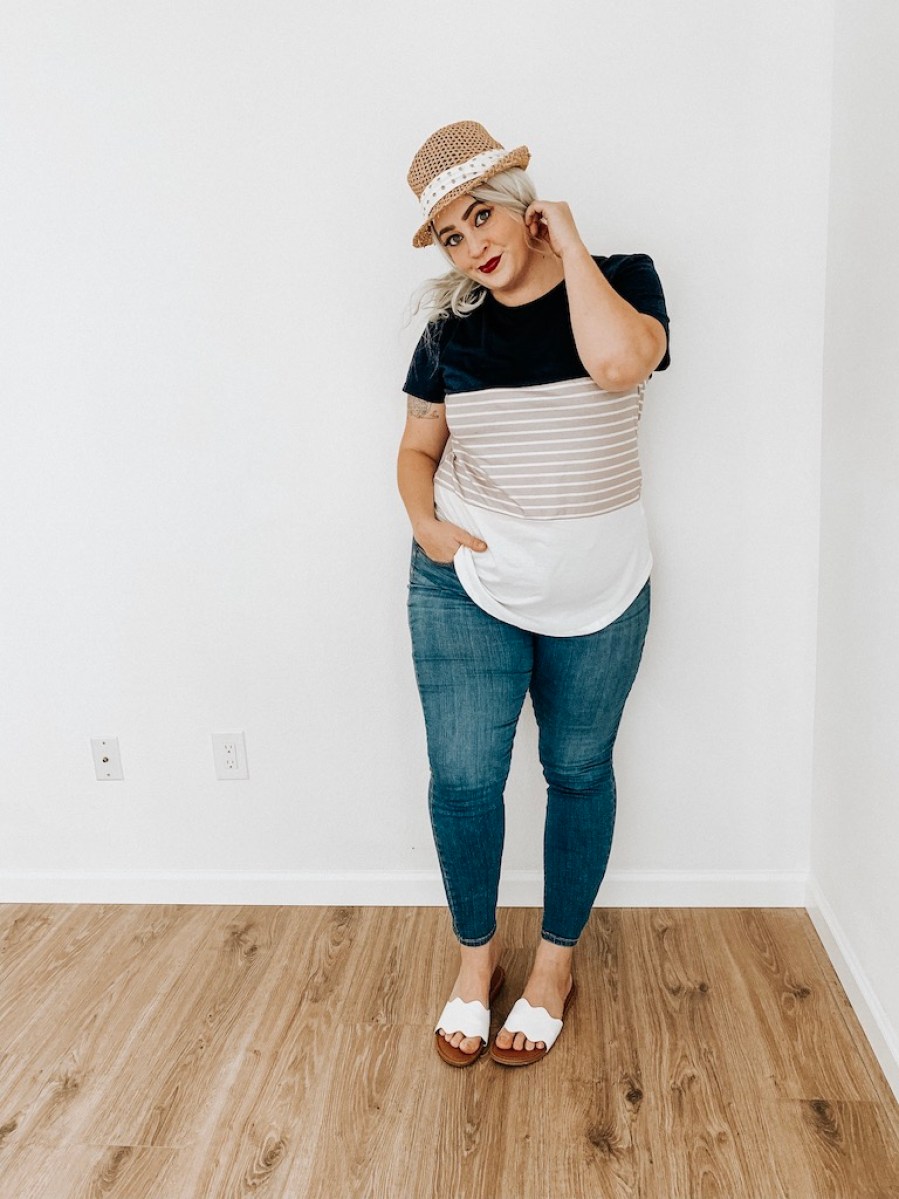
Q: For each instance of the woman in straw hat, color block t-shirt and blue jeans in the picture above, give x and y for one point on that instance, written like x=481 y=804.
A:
x=530 y=559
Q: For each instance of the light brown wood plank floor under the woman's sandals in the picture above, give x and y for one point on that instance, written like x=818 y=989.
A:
x=155 y=1052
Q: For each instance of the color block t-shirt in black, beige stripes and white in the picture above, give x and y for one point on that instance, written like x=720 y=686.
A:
x=541 y=463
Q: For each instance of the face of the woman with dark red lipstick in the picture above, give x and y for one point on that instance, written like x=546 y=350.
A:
x=479 y=236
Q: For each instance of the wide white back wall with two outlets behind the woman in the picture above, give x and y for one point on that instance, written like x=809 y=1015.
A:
x=209 y=255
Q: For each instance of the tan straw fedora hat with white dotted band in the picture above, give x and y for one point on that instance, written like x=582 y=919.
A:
x=451 y=162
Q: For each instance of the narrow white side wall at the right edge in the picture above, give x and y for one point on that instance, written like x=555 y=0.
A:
x=855 y=818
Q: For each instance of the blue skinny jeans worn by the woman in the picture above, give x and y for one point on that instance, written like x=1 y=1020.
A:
x=473 y=673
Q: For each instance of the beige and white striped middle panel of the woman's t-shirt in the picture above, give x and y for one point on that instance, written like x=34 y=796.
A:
x=545 y=453
